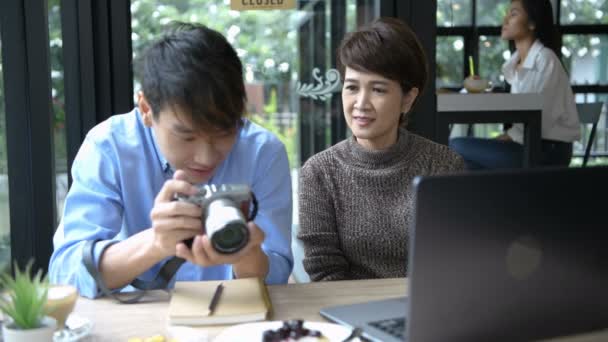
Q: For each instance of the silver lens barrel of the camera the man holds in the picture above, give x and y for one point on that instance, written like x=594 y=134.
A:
x=226 y=226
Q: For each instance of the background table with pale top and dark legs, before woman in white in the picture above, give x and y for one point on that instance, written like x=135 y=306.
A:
x=494 y=108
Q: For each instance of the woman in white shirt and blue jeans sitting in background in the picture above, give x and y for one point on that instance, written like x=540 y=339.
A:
x=533 y=68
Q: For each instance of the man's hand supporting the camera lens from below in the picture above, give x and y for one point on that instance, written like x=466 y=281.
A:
x=249 y=261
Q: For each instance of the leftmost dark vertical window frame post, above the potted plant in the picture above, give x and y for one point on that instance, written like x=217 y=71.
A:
x=29 y=124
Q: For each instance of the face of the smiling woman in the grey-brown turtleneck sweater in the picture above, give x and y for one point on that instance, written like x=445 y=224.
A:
x=372 y=107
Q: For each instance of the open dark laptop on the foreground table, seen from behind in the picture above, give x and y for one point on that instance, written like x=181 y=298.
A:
x=499 y=256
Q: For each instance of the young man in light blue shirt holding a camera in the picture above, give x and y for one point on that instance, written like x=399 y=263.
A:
x=188 y=130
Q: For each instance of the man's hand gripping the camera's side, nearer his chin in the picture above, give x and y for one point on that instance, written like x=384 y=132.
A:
x=174 y=221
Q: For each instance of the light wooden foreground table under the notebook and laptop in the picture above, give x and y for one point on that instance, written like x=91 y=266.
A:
x=119 y=322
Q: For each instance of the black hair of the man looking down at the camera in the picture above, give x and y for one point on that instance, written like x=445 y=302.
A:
x=195 y=70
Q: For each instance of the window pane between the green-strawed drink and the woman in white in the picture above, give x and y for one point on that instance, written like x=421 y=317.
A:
x=493 y=52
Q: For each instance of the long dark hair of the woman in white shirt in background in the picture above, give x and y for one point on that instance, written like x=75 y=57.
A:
x=540 y=14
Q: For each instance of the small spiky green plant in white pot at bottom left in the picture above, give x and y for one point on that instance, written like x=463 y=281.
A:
x=23 y=304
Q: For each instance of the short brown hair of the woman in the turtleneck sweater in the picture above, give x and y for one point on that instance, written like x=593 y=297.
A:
x=387 y=47
